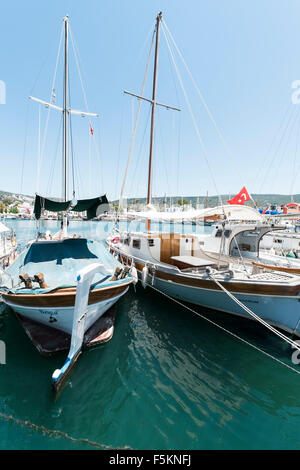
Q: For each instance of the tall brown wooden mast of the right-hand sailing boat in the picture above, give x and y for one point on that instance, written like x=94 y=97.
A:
x=149 y=193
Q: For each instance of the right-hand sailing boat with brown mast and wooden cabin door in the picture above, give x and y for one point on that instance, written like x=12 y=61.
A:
x=175 y=264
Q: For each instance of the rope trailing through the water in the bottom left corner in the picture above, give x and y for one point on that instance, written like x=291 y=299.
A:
x=57 y=433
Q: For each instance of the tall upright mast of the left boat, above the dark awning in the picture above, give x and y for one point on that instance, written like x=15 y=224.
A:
x=66 y=114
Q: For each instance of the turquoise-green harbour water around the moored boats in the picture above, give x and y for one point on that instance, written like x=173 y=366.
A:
x=167 y=380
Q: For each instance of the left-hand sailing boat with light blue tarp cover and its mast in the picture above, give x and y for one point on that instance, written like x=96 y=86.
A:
x=61 y=281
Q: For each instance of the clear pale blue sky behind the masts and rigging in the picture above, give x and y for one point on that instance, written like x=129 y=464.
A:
x=244 y=56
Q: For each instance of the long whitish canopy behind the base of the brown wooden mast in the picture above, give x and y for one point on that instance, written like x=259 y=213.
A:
x=232 y=212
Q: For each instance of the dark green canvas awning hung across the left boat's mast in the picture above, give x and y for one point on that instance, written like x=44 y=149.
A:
x=93 y=207
